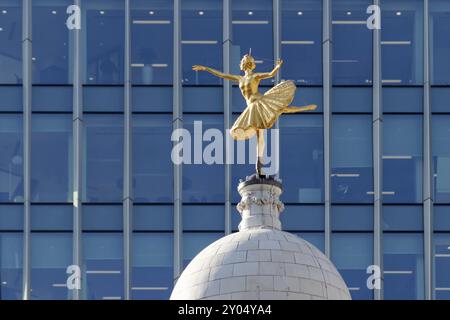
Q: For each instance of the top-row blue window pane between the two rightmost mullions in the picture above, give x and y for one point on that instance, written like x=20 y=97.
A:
x=402 y=42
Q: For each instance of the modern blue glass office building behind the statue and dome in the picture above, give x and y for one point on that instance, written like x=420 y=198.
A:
x=86 y=117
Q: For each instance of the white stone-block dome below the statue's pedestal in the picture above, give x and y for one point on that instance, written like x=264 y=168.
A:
x=260 y=264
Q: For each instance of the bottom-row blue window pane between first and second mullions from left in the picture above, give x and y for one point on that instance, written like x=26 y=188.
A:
x=51 y=254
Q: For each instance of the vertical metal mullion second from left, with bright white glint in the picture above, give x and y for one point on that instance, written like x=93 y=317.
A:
x=77 y=127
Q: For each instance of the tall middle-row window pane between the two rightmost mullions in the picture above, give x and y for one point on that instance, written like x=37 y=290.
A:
x=402 y=159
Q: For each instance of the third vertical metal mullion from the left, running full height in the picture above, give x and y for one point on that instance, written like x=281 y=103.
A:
x=128 y=186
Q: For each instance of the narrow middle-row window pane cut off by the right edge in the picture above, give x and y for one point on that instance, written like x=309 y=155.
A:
x=441 y=157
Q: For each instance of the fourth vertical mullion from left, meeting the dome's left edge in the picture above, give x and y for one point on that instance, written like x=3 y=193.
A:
x=177 y=124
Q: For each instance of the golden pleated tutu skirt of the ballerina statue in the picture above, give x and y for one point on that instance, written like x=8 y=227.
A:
x=263 y=110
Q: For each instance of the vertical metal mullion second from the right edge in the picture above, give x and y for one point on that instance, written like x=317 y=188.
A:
x=377 y=121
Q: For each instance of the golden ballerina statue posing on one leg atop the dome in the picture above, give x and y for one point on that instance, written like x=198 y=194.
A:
x=262 y=110
